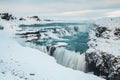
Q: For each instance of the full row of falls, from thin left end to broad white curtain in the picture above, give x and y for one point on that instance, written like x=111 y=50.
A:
x=63 y=56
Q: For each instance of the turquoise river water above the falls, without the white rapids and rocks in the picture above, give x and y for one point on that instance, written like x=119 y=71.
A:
x=75 y=42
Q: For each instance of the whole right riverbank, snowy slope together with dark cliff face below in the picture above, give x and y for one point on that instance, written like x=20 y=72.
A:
x=102 y=57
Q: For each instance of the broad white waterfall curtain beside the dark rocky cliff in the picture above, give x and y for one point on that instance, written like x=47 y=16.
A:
x=70 y=59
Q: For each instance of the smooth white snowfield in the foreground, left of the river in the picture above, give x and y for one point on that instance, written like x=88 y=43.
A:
x=24 y=63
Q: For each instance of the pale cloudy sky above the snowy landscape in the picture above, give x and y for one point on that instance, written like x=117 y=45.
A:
x=63 y=9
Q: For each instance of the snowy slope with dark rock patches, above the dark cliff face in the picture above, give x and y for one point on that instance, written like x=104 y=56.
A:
x=105 y=36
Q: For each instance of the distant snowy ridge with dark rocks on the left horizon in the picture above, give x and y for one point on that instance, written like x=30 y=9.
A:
x=24 y=20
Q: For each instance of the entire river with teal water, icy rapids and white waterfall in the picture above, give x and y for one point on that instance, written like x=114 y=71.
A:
x=66 y=42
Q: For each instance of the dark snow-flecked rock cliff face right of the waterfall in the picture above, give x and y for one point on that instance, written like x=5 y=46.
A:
x=103 y=64
